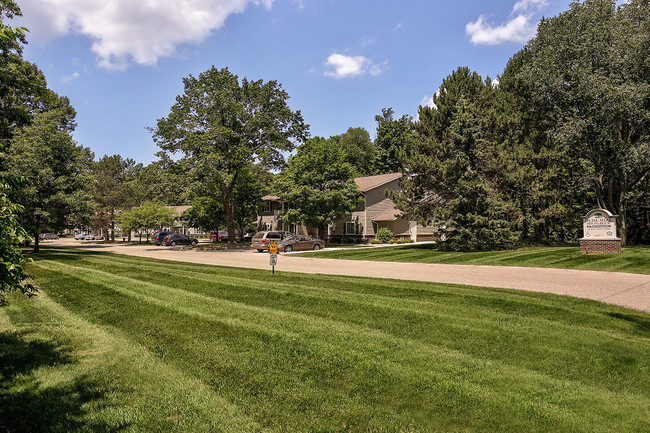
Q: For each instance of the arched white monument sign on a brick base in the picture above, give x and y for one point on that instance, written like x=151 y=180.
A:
x=599 y=228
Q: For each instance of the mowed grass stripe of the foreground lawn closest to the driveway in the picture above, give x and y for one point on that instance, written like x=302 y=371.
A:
x=424 y=298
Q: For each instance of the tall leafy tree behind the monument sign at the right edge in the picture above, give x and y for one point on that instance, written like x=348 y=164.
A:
x=584 y=87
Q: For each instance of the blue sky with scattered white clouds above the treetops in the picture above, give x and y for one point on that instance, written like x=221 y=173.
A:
x=121 y=62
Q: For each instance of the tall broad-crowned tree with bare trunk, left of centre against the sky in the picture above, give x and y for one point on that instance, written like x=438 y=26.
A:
x=221 y=125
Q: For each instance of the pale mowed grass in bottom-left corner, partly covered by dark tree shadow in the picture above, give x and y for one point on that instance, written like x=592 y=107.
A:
x=96 y=379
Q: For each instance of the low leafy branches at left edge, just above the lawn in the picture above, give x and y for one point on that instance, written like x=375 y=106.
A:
x=12 y=262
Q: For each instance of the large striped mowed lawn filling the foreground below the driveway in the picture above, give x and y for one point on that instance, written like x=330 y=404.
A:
x=117 y=343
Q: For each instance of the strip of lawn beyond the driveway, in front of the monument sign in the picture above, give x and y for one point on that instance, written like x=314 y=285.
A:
x=635 y=259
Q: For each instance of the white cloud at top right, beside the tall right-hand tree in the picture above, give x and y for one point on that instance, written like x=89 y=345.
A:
x=519 y=28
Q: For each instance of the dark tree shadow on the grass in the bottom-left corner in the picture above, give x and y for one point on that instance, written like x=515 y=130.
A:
x=27 y=406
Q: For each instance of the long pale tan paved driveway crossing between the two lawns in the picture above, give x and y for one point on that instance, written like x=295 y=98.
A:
x=628 y=290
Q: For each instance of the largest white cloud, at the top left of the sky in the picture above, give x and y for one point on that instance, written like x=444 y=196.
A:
x=125 y=31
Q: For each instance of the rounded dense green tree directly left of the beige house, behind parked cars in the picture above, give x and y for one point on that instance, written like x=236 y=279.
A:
x=319 y=184
